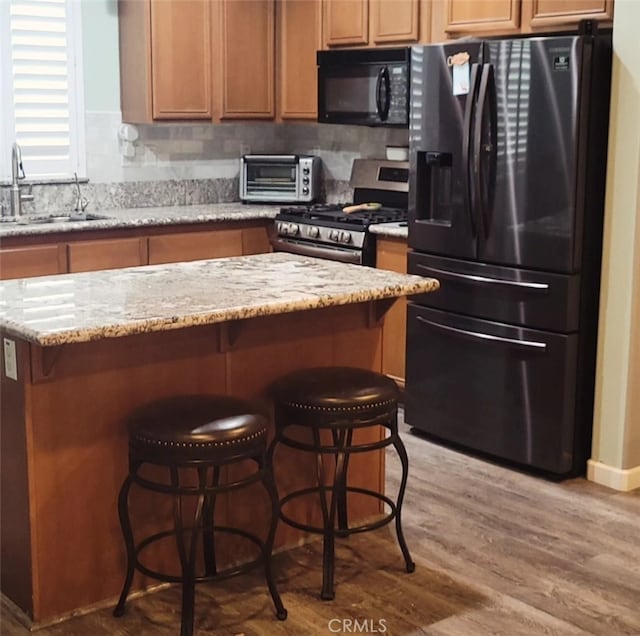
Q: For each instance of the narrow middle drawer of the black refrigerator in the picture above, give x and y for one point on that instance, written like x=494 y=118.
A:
x=539 y=300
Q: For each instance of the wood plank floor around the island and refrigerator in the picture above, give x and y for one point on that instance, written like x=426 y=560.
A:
x=497 y=552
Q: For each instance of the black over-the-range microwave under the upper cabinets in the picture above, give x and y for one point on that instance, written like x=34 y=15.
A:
x=367 y=87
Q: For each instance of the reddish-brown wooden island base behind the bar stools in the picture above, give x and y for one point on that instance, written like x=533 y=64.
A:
x=64 y=442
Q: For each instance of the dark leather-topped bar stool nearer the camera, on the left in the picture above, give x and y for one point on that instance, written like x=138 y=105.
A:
x=194 y=437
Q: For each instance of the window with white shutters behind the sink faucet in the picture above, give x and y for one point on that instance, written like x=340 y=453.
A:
x=42 y=106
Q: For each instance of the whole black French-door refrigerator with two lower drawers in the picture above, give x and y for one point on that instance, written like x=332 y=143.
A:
x=508 y=142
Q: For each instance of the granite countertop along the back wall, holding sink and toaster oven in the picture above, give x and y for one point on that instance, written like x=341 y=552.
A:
x=139 y=217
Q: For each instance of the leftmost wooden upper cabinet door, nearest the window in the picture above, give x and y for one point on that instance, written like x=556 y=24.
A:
x=180 y=59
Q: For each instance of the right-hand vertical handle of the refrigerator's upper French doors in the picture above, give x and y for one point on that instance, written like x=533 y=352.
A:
x=484 y=203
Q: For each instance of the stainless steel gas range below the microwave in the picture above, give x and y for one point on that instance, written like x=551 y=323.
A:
x=340 y=231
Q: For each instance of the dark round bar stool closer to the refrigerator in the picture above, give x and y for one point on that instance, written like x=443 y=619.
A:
x=331 y=403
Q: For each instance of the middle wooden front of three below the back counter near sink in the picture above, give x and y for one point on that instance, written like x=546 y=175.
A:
x=87 y=256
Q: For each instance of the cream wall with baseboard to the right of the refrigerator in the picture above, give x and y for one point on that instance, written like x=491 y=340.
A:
x=616 y=435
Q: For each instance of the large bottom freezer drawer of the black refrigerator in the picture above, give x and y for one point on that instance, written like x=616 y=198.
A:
x=502 y=390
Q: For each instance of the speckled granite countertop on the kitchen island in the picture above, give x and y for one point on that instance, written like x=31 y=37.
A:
x=55 y=310
